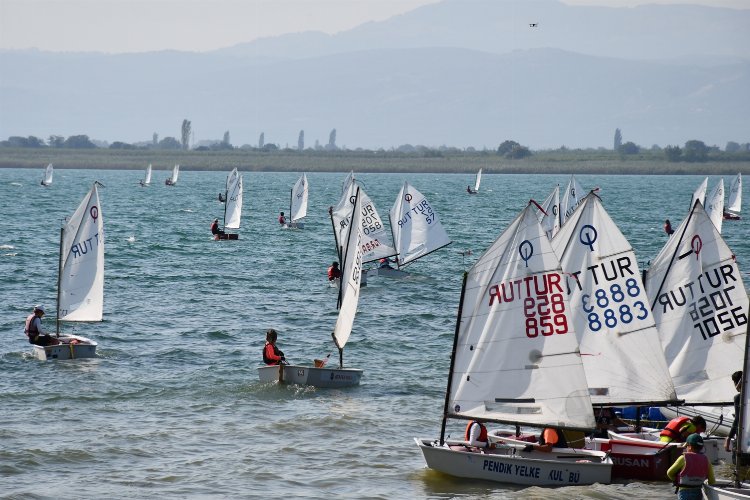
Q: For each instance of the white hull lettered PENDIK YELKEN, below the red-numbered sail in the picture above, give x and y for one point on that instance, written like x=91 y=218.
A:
x=509 y=464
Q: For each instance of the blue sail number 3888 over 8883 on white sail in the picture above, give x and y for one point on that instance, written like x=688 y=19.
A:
x=611 y=304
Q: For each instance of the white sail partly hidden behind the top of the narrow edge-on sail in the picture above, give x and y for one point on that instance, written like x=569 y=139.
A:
x=376 y=240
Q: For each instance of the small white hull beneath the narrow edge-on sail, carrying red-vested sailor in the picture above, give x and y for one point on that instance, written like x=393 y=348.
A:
x=308 y=375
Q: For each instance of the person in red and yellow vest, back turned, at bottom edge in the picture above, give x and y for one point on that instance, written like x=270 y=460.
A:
x=691 y=470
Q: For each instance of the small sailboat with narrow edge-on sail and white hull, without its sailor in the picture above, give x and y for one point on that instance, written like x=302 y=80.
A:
x=319 y=375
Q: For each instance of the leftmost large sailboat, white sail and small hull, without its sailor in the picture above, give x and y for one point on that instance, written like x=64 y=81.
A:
x=80 y=279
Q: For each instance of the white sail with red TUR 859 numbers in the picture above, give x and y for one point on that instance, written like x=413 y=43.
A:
x=516 y=353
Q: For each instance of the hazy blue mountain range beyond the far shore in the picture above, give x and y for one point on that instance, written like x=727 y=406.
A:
x=456 y=73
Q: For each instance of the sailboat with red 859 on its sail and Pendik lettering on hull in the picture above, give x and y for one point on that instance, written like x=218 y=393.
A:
x=516 y=361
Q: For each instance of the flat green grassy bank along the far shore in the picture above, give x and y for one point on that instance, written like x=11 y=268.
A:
x=583 y=162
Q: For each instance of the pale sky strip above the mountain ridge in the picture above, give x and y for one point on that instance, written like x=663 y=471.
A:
x=116 y=26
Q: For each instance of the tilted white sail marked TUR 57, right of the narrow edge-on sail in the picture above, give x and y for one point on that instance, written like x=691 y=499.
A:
x=415 y=225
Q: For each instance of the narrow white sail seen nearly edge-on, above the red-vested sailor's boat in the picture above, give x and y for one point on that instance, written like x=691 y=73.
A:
x=351 y=274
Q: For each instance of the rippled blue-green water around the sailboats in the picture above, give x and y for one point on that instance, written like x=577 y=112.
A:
x=172 y=406
